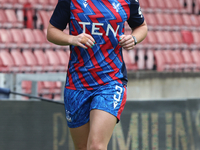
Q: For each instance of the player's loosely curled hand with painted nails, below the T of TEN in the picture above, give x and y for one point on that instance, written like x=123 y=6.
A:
x=83 y=40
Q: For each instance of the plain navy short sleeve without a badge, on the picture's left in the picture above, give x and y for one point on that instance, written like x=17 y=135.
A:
x=61 y=14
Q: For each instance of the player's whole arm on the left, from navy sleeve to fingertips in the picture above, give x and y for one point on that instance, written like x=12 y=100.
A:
x=58 y=22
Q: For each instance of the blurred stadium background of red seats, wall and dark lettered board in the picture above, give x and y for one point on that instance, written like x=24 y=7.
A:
x=163 y=72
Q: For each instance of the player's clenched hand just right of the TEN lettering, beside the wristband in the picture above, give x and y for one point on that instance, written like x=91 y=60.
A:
x=127 y=42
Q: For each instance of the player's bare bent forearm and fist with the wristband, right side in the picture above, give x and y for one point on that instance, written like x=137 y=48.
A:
x=140 y=32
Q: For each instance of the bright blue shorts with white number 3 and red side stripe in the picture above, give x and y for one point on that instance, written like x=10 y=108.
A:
x=78 y=104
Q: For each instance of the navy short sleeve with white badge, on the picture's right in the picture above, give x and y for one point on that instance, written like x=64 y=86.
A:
x=136 y=17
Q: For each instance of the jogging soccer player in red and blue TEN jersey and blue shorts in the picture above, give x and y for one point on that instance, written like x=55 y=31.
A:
x=95 y=92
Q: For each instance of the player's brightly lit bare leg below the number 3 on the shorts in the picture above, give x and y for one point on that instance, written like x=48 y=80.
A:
x=101 y=127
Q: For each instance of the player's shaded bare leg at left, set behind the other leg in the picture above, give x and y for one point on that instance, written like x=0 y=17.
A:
x=80 y=136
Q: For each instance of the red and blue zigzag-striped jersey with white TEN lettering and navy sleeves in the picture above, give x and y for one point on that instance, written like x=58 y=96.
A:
x=104 y=21
